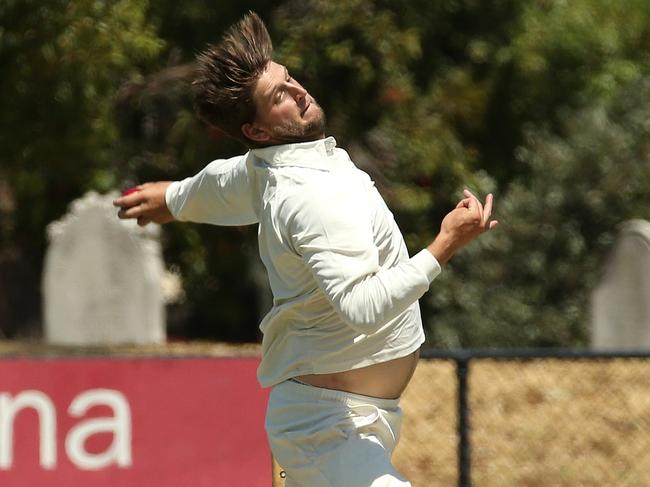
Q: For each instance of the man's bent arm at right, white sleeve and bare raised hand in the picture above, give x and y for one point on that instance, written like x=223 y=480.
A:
x=334 y=235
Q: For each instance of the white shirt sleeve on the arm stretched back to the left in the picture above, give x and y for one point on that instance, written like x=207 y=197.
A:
x=220 y=194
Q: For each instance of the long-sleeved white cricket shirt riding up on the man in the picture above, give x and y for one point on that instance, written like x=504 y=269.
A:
x=344 y=288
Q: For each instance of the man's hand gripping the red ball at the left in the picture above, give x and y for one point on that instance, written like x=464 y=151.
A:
x=146 y=204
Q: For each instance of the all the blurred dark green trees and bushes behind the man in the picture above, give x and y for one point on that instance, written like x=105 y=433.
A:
x=546 y=103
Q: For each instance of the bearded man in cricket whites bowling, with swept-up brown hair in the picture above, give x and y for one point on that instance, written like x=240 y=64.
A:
x=342 y=339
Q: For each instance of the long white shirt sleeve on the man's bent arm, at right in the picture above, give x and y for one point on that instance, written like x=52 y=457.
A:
x=332 y=230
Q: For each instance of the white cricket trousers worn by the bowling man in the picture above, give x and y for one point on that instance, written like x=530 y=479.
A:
x=326 y=438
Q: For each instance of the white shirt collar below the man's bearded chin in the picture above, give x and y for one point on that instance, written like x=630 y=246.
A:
x=315 y=154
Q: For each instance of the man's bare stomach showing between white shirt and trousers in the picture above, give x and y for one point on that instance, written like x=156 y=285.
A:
x=385 y=380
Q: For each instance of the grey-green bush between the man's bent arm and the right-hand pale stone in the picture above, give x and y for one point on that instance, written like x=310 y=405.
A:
x=529 y=282
